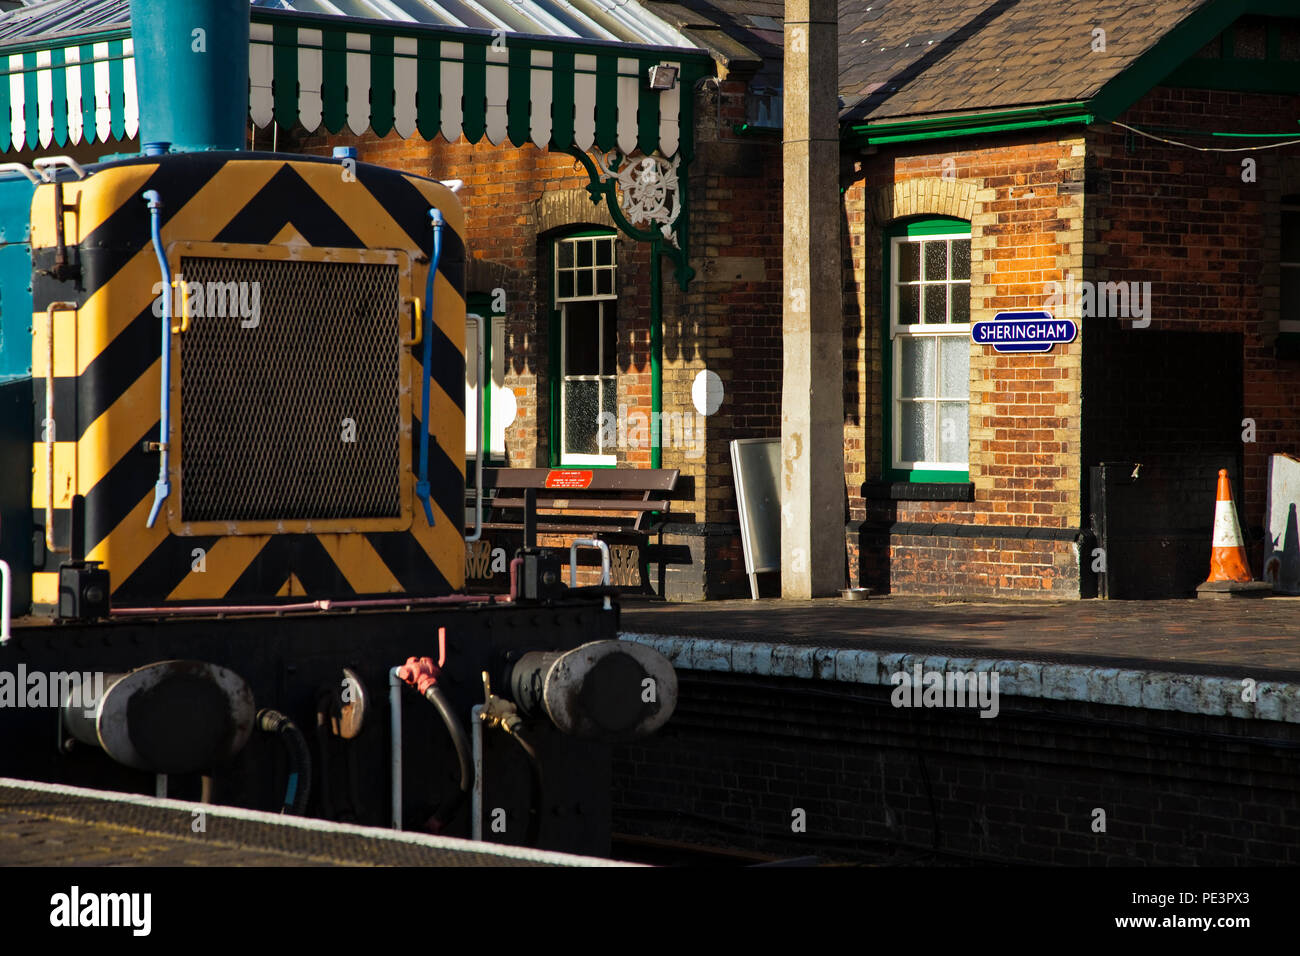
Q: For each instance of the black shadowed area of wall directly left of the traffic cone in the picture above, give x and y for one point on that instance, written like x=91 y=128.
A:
x=1169 y=403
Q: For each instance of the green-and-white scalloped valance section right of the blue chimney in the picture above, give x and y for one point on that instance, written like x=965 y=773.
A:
x=508 y=89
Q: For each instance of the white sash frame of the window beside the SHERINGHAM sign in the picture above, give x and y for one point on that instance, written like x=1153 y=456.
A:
x=899 y=332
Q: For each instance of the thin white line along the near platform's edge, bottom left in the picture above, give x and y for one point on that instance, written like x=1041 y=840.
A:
x=453 y=843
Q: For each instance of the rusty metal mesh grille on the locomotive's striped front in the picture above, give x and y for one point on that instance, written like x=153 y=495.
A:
x=270 y=388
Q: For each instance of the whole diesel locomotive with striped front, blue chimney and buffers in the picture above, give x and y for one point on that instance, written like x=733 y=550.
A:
x=233 y=492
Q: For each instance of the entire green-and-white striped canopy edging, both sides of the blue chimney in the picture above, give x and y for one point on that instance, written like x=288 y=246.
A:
x=357 y=75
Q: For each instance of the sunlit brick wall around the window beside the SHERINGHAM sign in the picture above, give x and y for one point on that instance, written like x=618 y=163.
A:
x=1026 y=217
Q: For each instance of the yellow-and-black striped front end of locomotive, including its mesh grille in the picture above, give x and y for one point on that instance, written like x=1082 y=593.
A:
x=288 y=466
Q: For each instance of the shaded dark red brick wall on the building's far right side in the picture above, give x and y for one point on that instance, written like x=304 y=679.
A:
x=1210 y=245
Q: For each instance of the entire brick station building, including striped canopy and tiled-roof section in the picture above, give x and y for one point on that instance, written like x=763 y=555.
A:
x=989 y=153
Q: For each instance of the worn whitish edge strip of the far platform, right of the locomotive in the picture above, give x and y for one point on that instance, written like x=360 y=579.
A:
x=1189 y=694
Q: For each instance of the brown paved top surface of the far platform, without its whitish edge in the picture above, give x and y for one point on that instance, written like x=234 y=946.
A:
x=1251 y=637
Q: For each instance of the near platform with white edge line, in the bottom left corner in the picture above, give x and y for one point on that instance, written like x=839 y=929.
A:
x=50 y=825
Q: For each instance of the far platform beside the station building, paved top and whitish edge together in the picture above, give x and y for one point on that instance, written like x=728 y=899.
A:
x=1181 y=656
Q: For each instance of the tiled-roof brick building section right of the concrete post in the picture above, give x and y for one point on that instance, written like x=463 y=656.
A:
x=1067 y=141
